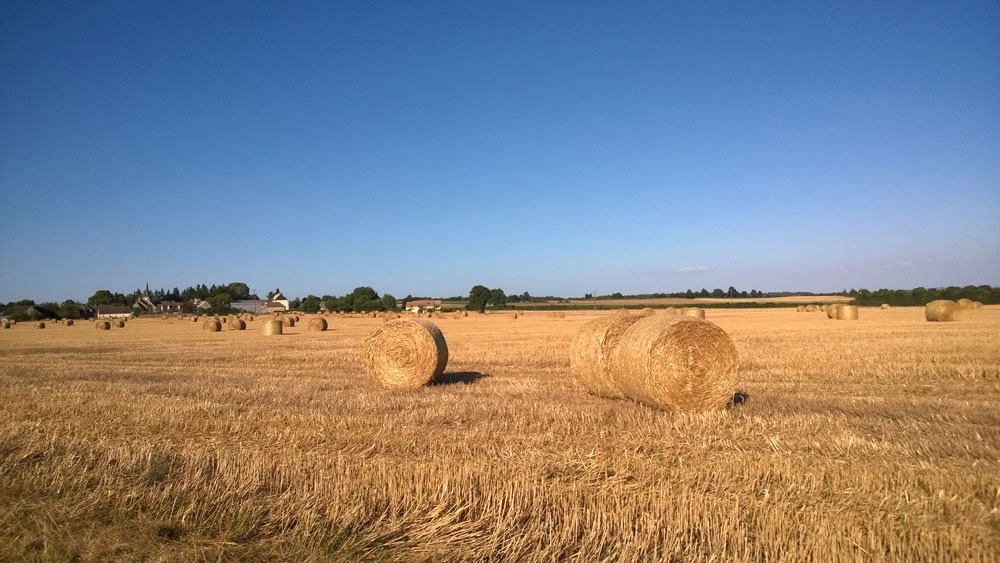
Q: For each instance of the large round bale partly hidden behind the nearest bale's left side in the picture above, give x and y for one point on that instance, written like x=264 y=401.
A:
x=590 y=354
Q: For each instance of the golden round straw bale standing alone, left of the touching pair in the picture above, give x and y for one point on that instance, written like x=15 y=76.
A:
x=405 y=353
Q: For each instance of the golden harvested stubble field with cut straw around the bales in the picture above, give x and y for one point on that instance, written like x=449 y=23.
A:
x=875 y=439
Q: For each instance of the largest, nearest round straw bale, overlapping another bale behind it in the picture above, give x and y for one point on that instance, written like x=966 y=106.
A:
x=677 y=364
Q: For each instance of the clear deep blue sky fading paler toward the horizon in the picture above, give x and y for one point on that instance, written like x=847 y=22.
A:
x=551 y=147
